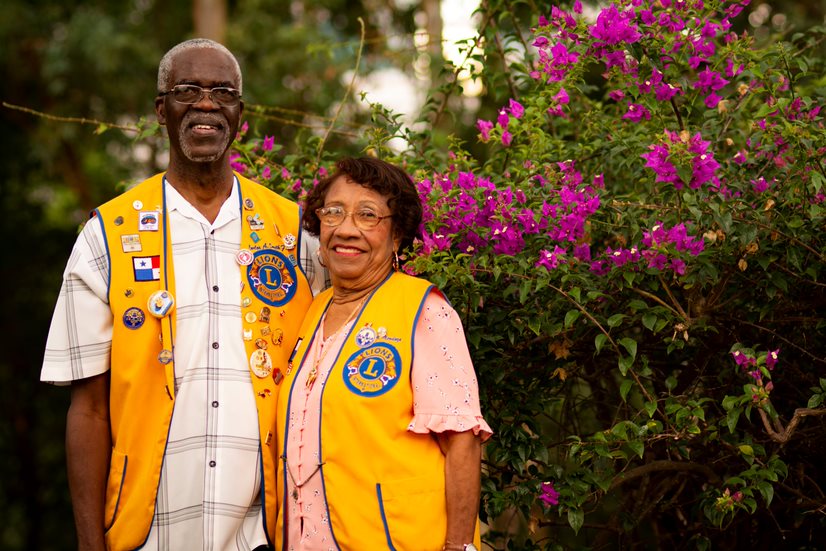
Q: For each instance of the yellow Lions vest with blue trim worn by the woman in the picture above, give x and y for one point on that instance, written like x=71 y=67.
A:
x=384 y=485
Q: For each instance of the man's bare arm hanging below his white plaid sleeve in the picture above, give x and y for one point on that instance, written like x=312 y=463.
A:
x=88 y=450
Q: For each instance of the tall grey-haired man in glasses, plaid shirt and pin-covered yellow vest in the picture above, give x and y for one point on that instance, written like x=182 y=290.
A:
x=179 y=303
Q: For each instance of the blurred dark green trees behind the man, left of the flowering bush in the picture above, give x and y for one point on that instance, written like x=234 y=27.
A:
x=97 y=60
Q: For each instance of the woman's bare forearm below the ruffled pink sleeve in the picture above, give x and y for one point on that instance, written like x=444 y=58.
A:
x=463 y=458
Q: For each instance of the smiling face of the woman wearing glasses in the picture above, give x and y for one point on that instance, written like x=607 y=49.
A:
x=357 y=258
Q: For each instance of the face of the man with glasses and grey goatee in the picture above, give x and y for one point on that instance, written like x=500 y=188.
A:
x=201 y=132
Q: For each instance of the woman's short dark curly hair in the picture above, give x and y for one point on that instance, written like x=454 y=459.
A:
x=382 y=177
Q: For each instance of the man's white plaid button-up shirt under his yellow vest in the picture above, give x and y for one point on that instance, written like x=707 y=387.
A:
x=209 y=492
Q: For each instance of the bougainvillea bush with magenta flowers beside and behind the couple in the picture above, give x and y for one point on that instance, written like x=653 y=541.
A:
x=640 y=263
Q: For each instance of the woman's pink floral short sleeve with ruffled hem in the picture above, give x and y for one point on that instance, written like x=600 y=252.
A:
x=445 y=389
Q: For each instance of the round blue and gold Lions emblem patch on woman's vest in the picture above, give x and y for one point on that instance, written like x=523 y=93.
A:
x=372 y=371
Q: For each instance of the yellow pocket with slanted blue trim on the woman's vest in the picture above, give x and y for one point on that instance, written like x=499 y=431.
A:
x=413 y=513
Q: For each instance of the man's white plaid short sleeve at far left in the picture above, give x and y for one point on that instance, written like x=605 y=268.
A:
x=80 y=336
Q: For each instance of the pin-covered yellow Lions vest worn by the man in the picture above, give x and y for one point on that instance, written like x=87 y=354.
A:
x=274 y=299
